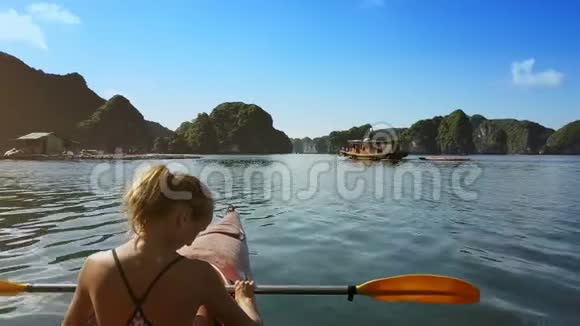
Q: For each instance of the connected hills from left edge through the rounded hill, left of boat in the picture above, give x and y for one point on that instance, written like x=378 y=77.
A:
x=33 y=101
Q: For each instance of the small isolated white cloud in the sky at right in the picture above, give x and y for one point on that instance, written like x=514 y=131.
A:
x=523 y=74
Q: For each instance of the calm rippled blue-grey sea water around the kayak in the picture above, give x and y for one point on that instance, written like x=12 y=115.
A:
x=509 y=224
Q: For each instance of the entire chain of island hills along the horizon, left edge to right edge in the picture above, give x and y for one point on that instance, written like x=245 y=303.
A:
x=34 y=101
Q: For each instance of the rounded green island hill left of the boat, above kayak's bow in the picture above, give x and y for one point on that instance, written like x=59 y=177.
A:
x=234 y=127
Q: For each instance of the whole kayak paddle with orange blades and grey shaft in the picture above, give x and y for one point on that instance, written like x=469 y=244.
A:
x=421 y=288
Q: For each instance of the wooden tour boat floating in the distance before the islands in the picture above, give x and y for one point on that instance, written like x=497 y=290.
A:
x=373 y=150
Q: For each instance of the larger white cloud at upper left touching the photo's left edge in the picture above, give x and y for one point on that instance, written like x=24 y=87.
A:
x=15 y=27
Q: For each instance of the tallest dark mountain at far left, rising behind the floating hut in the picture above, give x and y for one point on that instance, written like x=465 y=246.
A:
x=31 y=100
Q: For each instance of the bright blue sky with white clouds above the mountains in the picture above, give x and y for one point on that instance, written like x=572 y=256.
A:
x=315 y=66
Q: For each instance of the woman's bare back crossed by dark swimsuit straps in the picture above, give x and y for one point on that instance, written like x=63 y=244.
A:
x=149 y=289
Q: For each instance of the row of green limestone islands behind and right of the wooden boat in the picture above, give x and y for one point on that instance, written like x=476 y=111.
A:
x=458 y=133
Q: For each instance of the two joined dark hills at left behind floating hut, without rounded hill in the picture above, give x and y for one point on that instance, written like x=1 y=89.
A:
x=31 y=100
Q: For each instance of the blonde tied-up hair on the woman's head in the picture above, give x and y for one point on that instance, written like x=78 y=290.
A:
x=157 y=192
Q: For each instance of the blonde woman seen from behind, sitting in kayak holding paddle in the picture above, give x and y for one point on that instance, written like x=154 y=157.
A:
x=144 y=281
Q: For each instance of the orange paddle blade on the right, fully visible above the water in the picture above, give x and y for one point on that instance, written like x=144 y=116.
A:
x=421 y=288
